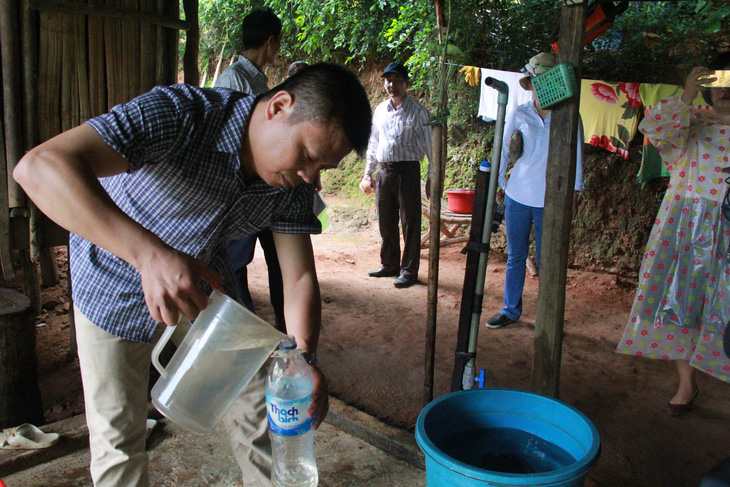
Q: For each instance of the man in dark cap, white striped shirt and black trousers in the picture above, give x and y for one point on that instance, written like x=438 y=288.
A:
x=399 y=140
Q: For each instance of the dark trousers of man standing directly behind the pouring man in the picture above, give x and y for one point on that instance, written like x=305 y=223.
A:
x=241 y=253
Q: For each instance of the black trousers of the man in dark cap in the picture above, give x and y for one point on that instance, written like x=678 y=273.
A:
x=398 y=195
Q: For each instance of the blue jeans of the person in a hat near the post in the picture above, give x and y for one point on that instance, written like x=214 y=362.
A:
x=518 y=220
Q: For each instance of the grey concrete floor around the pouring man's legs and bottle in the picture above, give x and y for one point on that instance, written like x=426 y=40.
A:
x=180 y=458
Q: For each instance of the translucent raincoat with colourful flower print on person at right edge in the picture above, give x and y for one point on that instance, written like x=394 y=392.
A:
x=682 y=304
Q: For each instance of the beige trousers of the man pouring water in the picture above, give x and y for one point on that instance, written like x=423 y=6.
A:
x=115 y=376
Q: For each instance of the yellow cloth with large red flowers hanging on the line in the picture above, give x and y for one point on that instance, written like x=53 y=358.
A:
x=610 y=113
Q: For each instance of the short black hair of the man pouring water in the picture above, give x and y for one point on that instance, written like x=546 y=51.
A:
x=326 y=93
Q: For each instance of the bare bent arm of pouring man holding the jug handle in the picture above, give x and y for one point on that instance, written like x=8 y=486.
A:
x=61 y=177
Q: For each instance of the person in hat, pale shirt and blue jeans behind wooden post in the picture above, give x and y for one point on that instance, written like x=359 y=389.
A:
x=525 y=190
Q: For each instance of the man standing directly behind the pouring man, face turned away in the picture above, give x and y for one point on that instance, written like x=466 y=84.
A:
x=261 y=42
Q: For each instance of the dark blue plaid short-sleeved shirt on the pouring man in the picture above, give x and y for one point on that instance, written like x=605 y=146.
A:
x=184 y=185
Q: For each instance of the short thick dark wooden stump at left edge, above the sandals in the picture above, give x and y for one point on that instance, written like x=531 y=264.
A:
x=20 y=398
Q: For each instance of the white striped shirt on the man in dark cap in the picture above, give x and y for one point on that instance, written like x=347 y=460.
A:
x=399 y=134
